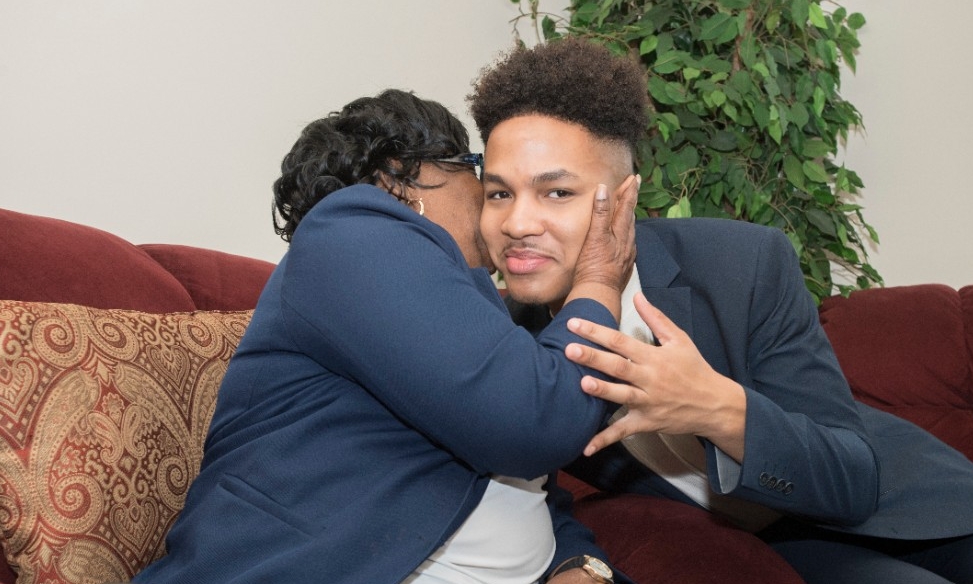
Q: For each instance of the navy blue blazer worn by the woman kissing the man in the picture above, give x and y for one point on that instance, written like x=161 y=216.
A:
x=378 y=386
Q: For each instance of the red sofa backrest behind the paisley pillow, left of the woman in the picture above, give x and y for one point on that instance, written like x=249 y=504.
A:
x=50 y=260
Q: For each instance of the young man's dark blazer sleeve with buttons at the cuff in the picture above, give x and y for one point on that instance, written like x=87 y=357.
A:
x=806 y=449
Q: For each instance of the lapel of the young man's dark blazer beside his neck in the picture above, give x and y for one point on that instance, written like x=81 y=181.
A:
x=657 y=271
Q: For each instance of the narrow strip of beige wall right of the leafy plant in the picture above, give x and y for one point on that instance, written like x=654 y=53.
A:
x=913 y=87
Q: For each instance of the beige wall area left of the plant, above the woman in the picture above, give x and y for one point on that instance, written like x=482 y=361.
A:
x=166 y=120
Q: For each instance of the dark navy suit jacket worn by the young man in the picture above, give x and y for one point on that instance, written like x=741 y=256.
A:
x=738 y=291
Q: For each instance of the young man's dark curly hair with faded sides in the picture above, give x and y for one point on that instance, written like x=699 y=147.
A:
x=570 y=79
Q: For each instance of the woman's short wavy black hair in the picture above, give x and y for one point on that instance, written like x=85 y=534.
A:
x=387 y=135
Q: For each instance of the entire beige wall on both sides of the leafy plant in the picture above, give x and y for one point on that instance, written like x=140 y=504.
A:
x=165 y=121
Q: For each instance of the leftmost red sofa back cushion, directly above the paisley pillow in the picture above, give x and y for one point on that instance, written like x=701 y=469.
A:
x=49 y=260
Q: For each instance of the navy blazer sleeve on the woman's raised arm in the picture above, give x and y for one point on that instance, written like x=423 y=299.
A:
x=389 y=303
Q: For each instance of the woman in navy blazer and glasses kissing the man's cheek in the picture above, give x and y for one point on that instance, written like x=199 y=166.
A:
x=383 y=420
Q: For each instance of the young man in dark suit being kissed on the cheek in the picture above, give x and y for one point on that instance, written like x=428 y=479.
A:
x=732 y=389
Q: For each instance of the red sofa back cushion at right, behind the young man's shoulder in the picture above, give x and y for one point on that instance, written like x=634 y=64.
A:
x=905 y=350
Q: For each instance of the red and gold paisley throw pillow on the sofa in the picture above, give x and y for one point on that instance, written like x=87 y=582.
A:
x=103 y=414
